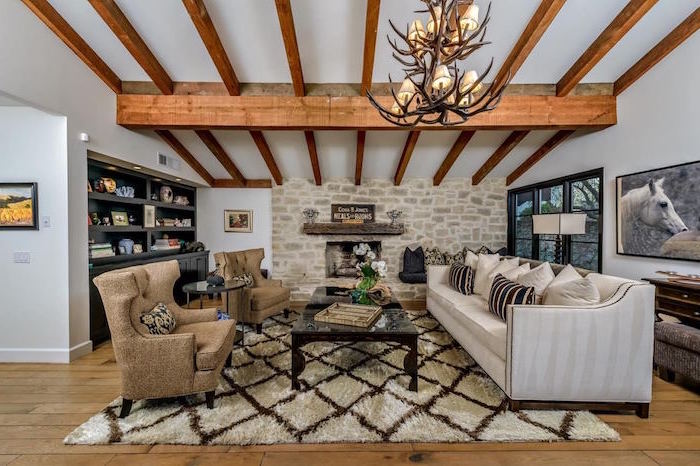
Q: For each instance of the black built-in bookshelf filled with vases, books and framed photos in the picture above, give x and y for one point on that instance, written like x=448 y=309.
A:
x=146 y=193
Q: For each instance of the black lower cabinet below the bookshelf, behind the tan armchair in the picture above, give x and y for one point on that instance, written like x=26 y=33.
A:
x=193 y=267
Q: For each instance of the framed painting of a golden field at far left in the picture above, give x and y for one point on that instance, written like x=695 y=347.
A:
x=18 y=206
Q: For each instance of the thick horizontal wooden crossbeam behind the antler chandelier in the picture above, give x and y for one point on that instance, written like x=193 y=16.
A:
x=515 y=112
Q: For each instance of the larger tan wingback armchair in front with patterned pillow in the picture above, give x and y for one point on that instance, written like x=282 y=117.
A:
x=188 y=360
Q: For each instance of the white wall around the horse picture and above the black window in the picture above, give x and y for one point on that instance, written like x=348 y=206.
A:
x=658 y=123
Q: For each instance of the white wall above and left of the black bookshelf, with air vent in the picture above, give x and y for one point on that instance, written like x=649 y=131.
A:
x=37 y=68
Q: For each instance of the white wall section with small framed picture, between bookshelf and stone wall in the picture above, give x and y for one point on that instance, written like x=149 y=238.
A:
x=211 y=204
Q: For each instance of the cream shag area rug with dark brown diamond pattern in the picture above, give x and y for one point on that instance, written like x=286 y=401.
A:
x=351 y=392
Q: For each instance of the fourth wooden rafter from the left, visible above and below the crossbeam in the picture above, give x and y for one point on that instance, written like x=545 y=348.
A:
x=289 y=36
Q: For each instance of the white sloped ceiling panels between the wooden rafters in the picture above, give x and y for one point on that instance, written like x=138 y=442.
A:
x=330 y=35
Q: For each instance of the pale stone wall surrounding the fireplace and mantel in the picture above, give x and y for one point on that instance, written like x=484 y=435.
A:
x=450 y=216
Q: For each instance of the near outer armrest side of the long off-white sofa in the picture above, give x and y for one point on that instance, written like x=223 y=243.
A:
x=595 y=353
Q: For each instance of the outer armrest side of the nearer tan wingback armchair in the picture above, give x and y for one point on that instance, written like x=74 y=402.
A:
x=156 y=366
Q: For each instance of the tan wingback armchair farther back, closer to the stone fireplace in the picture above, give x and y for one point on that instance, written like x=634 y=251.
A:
x=252 y=305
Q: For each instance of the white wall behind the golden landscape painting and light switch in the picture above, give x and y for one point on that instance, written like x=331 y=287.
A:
x=34 y=310
